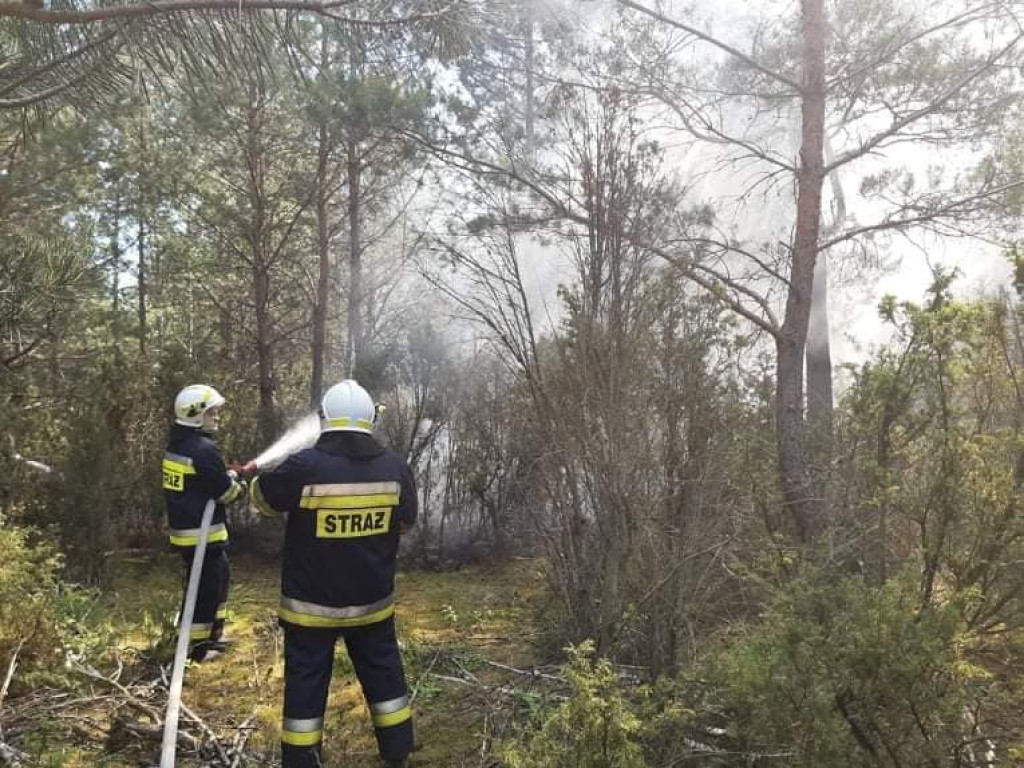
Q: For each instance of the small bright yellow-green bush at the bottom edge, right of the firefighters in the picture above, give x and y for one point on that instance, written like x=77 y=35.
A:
x=593 y=729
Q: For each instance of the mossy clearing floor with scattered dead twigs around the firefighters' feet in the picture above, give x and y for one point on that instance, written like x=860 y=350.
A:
x=470 y=645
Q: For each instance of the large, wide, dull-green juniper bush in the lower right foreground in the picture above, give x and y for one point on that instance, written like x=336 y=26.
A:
x=844 y=674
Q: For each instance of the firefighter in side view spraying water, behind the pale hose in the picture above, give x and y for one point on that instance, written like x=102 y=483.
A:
x=194 y=474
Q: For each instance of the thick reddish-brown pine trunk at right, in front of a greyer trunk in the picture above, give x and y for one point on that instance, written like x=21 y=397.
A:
x=804 y=499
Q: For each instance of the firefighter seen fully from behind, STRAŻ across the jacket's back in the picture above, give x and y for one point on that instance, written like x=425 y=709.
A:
x=347 y=500
